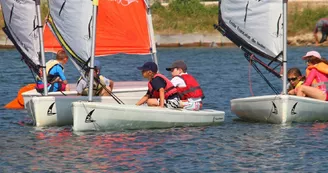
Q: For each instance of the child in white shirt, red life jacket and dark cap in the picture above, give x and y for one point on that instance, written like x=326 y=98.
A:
x=190 y=92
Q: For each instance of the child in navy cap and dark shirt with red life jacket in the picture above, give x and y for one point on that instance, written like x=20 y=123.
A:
x=161 y=91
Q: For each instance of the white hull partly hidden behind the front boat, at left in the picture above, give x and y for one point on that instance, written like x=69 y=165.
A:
x=56 y=110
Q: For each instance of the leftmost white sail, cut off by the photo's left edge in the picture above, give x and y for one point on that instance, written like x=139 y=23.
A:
x=20 y=20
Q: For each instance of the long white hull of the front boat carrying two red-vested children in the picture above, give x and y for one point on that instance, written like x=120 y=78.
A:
x=89 y=116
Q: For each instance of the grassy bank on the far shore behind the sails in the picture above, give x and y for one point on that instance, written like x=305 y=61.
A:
x=190 y=16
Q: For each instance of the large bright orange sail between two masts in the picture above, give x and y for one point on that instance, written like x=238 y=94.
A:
x=122 y=28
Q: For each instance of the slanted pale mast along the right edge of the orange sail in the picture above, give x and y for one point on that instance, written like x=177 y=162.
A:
x=151 y=32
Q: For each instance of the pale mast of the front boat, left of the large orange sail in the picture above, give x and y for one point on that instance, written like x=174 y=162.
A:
x=93 y=46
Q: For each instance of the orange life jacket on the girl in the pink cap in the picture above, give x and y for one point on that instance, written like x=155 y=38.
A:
x=322 y=68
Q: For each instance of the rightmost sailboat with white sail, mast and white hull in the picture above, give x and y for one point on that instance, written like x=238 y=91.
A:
x=258 y=28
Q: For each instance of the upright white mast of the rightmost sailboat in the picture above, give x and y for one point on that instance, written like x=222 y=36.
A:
x=284 y=65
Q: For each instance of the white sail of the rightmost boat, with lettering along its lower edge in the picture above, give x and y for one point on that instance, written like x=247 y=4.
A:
x=256 y=25
